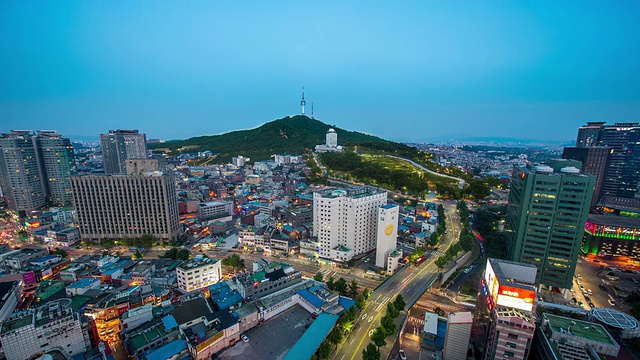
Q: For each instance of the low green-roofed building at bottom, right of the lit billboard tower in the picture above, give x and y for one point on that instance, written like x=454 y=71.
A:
x=559 y=338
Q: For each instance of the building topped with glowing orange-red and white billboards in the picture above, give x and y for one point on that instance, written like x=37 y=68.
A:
x=505 y=309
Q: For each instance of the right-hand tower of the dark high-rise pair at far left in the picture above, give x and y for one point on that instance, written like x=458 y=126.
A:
x=57 y=164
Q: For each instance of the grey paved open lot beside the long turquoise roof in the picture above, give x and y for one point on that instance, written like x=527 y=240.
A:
x=273 y=338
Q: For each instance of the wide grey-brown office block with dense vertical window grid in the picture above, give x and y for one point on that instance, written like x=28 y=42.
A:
x=118 y=206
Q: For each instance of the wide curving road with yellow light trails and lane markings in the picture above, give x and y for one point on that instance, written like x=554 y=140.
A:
x=411 y=283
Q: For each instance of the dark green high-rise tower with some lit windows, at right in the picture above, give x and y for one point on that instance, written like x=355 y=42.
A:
x=548 y=207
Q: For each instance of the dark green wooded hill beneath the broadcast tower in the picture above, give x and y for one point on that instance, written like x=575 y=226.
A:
x=290 y=135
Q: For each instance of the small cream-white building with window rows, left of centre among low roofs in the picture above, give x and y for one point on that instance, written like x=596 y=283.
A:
x=198 y=273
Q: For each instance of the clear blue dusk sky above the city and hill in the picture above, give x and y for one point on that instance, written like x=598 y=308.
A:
x=410 y=70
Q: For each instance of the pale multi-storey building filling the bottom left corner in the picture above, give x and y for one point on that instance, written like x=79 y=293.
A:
x=54 y=325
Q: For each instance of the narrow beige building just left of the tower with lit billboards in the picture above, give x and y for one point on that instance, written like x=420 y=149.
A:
x=456 y=342
